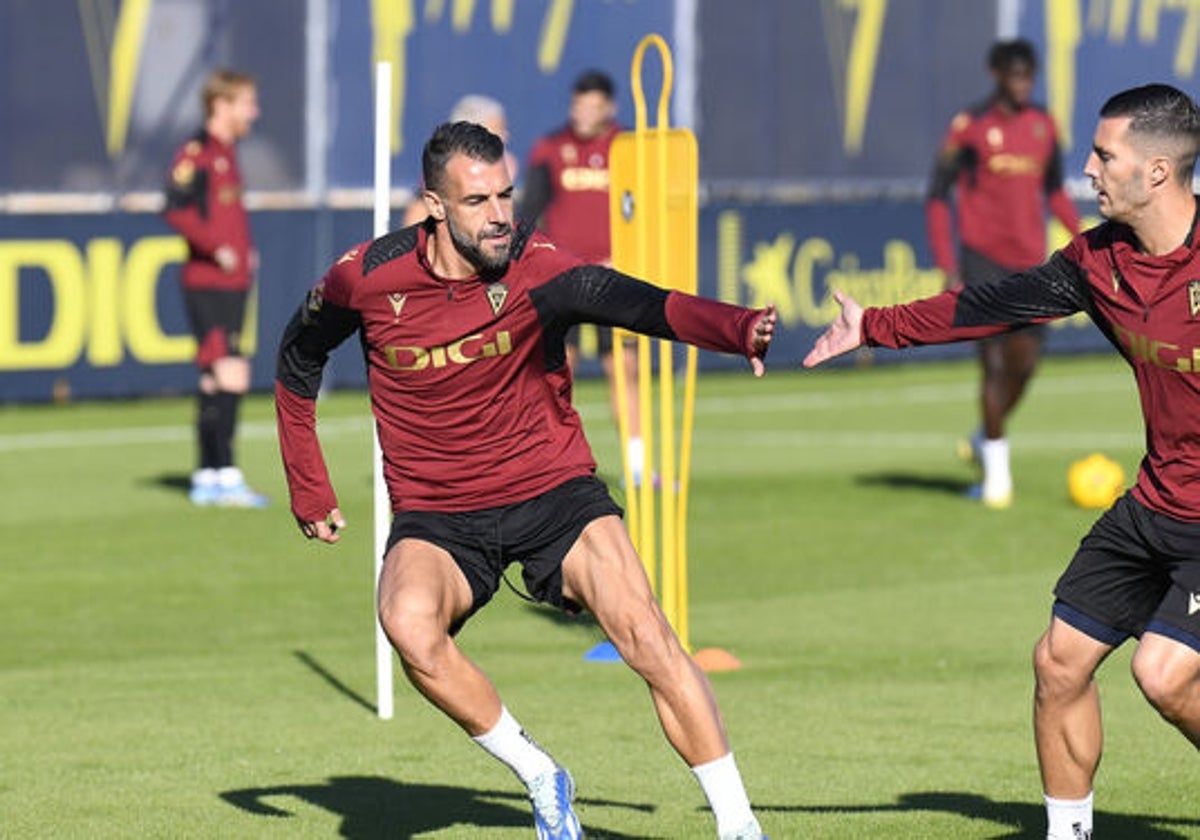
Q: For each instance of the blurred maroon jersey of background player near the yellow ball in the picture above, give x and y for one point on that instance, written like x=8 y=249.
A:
x=1006 y=170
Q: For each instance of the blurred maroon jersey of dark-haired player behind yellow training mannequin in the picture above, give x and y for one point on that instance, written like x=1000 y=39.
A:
x=568 y=187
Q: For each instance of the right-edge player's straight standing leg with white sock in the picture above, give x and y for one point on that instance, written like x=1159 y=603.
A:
x=1067 y=725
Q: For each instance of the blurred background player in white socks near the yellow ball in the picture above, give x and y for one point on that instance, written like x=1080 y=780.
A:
x=1001 y=163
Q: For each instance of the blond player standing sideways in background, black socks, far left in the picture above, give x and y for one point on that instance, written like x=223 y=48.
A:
x=205 y=206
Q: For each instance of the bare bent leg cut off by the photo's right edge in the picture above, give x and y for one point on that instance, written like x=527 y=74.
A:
x=1169 y=675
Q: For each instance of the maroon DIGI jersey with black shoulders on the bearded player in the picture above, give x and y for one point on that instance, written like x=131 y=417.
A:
x=469 y=379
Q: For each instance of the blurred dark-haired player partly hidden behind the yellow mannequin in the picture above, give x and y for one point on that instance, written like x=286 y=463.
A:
x=567 y=195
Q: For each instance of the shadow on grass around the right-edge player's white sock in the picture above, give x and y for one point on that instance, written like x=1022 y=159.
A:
x=1022 y=821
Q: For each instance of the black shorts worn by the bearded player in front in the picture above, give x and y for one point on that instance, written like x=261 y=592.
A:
x=536 y=533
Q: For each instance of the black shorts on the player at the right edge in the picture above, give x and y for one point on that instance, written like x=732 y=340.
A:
x=1136 y=571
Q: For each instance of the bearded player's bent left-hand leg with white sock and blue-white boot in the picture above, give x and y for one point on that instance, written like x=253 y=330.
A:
x=422 y=593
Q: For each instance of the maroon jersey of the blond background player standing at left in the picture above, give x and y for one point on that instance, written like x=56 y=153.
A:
x=205 y=206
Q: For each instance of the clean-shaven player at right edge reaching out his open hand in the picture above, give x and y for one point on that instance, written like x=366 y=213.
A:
x=1138 y=572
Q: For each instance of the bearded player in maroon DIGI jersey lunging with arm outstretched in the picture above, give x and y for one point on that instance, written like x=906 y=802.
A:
x=463 y=320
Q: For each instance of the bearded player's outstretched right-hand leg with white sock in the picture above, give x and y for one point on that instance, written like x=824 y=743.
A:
x=604 y=573
